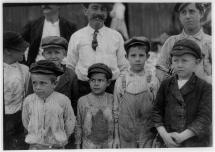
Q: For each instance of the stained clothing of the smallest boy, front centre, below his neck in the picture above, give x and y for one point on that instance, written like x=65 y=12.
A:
x=95 y=119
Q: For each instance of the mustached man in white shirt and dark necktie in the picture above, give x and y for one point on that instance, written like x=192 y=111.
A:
x=96 y=43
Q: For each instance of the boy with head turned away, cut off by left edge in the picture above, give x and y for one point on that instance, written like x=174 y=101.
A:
x=16 y=77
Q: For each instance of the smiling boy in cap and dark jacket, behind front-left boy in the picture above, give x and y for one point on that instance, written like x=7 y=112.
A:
x=54 y=49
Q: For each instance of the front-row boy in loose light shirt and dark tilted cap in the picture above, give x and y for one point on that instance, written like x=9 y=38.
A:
x=47 y=115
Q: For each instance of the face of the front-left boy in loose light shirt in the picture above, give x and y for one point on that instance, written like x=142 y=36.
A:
x=42 y=85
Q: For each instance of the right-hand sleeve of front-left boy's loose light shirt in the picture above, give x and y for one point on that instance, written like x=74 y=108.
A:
x=69 y=118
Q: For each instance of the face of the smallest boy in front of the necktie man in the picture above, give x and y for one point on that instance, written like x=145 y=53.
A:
x=98 y=83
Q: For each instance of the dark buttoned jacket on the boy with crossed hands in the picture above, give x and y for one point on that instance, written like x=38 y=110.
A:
x=187 y=108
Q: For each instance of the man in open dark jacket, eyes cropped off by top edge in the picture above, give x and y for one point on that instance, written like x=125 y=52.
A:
x=51 y=24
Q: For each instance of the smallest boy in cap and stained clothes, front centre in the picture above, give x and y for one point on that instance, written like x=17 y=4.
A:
x=94 y=115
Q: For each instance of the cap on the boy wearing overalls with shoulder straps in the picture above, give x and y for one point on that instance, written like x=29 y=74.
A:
x=140 y=40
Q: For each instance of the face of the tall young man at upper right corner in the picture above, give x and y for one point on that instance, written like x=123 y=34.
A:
x=190 y=16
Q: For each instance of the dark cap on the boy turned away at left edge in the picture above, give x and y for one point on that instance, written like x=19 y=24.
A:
x=14 y=40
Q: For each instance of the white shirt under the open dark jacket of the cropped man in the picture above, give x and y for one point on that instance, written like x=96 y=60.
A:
x=49 y=29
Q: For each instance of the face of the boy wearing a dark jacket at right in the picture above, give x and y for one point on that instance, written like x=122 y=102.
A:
x=184 y=65
